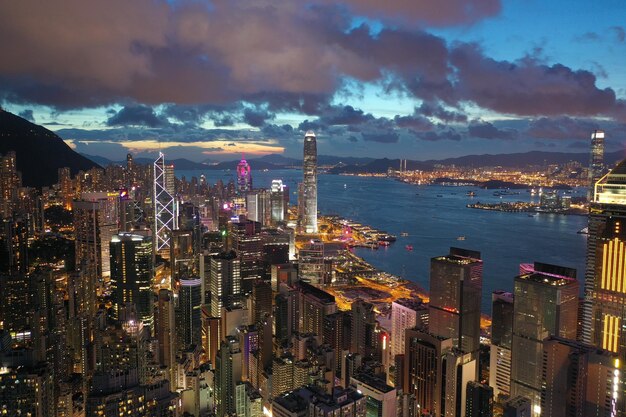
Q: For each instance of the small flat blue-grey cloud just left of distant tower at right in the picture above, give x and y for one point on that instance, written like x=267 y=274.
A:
x=561 y=128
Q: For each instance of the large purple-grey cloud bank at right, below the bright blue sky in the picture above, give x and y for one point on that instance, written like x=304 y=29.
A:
x=527 y=87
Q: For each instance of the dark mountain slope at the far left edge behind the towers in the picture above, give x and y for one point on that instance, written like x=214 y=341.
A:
x=39 y=152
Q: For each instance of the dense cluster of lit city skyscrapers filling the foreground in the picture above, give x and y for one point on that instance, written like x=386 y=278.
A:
x=190 y=299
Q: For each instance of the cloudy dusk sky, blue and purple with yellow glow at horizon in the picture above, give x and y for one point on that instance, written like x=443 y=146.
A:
x=396 y=78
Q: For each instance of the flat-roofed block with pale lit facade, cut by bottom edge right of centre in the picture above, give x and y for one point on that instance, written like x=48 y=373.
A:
x=381 y=398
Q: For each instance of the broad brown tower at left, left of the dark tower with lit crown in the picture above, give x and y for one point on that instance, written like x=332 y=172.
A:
x=95 y=223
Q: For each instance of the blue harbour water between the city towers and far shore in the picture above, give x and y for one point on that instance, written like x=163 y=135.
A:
x=435 y=217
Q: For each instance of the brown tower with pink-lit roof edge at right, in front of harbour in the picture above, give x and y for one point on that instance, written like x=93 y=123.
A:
x=546 y=303
